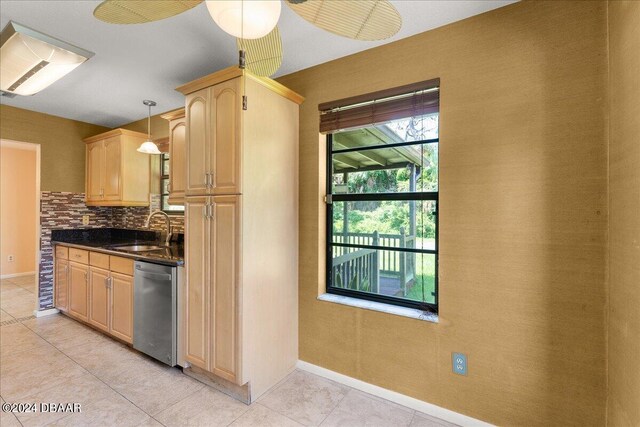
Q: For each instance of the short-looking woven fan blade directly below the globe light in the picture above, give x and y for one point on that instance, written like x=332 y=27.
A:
x=263 y=55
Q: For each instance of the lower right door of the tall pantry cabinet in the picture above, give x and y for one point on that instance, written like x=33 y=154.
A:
x=224 y=303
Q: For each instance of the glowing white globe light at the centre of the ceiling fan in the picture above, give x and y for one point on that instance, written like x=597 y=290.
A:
x=245 y=19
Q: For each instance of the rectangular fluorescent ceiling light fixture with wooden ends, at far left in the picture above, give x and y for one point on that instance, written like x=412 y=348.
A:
x=30 y=61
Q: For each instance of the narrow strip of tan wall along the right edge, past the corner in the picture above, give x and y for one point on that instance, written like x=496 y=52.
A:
x=624 y=213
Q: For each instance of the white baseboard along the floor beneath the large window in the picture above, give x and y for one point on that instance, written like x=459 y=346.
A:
x=401 y=399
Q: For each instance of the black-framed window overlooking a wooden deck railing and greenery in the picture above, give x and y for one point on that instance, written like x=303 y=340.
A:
x=382 y=214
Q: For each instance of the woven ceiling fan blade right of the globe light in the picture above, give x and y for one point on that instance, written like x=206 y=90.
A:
x=356 y=19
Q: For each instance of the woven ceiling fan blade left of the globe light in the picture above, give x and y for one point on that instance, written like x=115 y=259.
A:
x=141 y=11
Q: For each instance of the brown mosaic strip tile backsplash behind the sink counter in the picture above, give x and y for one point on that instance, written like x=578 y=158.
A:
x=65 y=210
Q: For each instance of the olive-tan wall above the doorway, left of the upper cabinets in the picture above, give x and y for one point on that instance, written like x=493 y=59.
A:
x=63 y=152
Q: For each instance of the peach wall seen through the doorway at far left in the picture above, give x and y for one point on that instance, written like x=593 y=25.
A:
x=17 y=210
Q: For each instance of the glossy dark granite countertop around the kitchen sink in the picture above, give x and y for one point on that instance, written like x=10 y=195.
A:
x=109 y=240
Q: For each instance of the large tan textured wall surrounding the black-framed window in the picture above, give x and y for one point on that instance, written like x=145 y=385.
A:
x=523 y=218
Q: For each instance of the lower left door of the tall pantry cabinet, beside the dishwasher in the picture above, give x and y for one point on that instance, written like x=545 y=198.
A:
x=197 y=283
